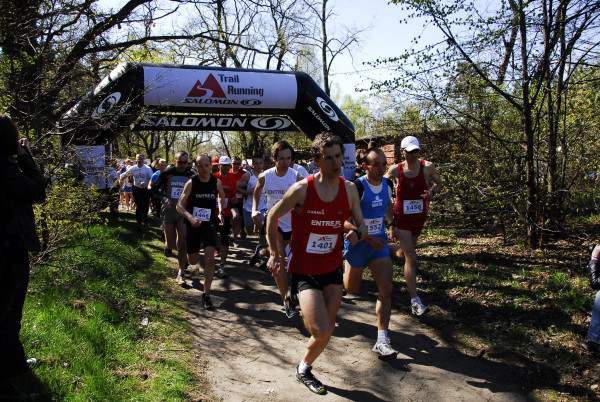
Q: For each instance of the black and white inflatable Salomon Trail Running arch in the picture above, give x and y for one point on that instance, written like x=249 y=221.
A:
x=142 y=96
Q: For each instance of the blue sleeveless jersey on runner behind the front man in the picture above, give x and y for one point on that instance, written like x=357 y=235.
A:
x=373 y=206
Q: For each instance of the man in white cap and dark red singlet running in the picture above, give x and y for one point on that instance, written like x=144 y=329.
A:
x=410 y=211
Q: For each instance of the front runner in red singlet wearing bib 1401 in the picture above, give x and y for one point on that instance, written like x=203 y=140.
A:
x=320 y=205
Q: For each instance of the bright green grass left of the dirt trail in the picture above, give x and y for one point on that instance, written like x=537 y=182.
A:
x=82 y=322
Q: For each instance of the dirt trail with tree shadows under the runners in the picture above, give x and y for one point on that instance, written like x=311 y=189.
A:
x=251 y=350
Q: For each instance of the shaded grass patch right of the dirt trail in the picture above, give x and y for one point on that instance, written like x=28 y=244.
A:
x=525 y=308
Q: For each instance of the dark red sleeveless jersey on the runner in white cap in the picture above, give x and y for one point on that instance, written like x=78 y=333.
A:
x=409 y=203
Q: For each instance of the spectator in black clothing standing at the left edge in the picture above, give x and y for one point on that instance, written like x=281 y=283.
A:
x=22 y=186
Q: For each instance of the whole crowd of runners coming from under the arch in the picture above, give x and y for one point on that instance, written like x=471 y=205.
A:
x=316 y=231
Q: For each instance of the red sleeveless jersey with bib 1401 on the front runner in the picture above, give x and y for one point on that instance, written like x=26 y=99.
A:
x=316 y=245
